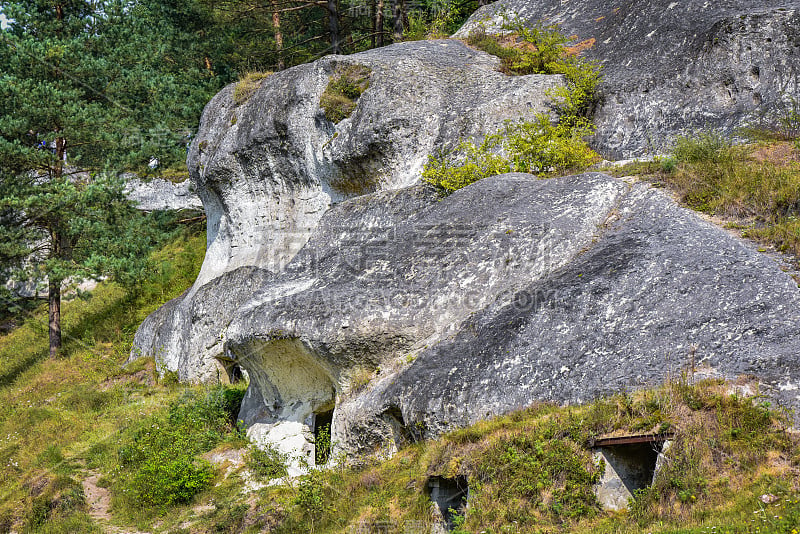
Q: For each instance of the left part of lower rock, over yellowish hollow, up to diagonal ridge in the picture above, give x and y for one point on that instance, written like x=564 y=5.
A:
x=388 y=273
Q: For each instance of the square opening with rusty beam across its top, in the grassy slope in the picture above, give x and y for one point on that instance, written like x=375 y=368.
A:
x=631 y=463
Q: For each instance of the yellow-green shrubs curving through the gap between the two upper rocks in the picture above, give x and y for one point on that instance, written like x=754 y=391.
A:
x=536 y=146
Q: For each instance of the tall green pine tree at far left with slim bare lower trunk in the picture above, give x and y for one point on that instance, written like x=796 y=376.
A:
x=86 y=92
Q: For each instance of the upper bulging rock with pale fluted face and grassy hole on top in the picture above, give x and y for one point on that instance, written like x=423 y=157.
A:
x=267 y=169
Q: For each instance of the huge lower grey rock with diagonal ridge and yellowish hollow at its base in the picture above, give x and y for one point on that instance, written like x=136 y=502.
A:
x=510 y=291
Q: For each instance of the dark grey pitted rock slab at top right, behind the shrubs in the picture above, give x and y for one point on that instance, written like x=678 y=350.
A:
x=671 y=66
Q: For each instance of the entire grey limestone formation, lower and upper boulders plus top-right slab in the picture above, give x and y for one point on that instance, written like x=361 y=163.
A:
x=339 y=284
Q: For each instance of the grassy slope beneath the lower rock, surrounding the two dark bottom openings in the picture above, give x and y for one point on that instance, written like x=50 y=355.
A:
x=531 y=471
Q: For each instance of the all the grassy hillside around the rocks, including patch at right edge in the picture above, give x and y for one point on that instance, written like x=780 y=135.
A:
x=87 y=446
